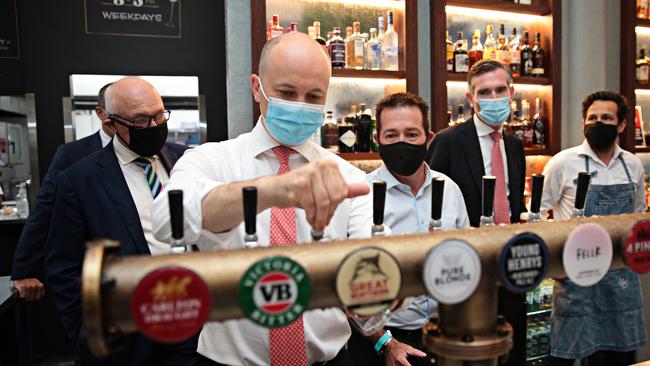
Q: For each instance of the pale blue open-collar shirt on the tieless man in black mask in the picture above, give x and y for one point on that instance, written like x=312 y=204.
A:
x=405 y=214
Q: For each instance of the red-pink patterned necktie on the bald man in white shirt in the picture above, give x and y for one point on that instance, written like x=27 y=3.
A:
x=287 y=343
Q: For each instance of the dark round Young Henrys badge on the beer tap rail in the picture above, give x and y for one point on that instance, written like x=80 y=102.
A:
x=523 y=262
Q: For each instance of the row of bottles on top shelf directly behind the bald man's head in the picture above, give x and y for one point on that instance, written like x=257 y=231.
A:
x=376 y=50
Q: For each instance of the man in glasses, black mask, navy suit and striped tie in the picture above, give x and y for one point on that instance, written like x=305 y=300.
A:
x=108 y=195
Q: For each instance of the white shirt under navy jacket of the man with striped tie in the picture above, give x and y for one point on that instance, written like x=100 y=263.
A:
x=140 y=191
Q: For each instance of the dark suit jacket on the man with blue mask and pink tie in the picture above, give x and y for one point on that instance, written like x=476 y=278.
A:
x=456 y=152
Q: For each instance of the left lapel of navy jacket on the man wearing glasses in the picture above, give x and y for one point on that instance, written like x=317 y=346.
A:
x=111 y=177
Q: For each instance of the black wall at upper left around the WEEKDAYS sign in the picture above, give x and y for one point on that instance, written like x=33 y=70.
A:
x=54 y=45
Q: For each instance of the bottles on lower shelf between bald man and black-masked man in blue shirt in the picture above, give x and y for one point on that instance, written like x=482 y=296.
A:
x=350 y=133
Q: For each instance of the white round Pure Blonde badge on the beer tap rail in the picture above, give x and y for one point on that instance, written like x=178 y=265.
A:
x=452 y=271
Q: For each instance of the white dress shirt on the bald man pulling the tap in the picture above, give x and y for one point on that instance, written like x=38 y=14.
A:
x=249 y=156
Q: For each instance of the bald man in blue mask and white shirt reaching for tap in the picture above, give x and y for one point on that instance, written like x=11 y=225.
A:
x=323 y=191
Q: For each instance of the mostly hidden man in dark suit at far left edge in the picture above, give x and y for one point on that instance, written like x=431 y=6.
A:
x=28 y=264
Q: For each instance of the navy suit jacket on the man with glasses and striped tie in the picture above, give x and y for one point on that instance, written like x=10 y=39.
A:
x=93 y=202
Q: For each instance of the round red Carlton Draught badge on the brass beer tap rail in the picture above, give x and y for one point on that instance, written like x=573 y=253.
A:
x=171 y=304
